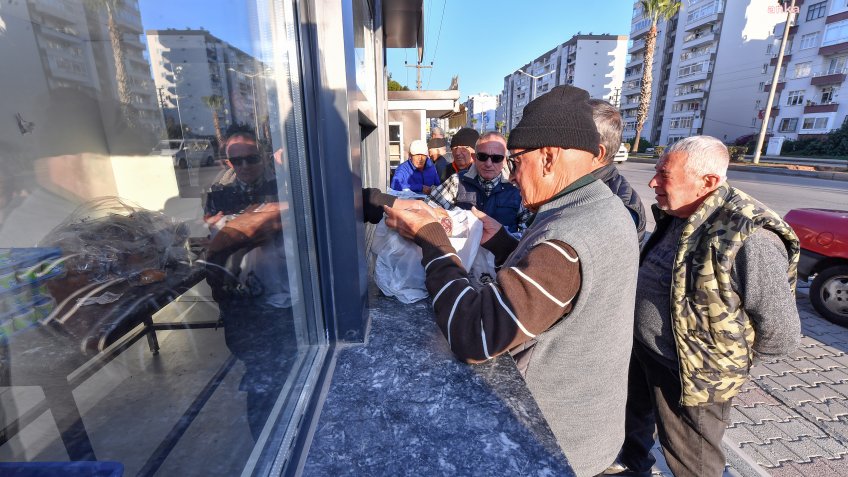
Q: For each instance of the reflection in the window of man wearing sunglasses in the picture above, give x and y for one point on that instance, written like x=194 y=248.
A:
x=247 y=273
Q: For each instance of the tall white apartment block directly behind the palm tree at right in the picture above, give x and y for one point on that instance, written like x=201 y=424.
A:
x=708 y=64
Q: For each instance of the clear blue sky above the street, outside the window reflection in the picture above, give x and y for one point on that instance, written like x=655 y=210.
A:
x=484 y=40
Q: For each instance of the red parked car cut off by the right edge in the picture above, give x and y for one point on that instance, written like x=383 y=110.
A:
x=824 y=257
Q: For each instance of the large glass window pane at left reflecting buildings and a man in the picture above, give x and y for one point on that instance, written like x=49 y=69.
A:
x=156 y=304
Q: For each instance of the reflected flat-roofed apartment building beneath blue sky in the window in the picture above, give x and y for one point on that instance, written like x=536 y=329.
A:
x=190 y=65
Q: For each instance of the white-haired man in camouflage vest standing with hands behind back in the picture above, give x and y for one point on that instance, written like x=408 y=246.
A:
x=716 y=290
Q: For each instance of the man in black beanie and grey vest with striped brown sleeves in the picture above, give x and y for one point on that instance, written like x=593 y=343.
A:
x=562 y=303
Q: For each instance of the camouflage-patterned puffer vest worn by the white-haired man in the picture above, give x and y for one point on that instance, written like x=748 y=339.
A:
x=712 y=332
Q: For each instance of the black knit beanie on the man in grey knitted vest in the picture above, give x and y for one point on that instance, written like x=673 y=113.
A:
x=561 y=118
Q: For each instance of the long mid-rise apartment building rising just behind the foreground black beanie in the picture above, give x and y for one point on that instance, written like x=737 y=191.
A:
x=592 y=62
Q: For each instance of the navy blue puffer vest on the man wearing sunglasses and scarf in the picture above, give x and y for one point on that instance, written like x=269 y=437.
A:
x=503 y=204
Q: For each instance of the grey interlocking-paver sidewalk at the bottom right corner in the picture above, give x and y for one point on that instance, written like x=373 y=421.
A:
x=791 y=419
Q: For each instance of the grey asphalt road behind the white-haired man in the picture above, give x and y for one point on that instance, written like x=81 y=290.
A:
x=781 y=193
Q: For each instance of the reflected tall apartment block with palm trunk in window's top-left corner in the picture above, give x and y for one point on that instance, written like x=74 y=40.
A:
x=67 y=56
